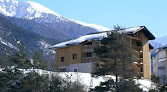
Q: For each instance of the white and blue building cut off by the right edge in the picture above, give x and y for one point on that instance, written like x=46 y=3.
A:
x=160 y=64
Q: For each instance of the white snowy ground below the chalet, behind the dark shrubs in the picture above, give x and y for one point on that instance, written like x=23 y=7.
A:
x=88 y=81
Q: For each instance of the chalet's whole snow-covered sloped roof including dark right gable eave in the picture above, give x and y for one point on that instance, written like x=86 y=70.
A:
x=100 y=35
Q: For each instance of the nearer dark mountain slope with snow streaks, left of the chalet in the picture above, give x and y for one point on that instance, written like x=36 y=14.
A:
x=10 y=33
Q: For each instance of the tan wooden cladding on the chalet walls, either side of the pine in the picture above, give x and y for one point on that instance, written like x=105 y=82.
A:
x=83 y=52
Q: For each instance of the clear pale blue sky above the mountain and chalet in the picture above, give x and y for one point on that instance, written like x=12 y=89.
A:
x=126 y=13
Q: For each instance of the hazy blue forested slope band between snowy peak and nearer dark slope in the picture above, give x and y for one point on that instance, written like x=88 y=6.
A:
x=38 y=28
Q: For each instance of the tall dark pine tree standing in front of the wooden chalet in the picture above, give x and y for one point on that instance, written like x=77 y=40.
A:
x=115 y=59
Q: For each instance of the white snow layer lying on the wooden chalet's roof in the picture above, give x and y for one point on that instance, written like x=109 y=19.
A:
x=93 y=36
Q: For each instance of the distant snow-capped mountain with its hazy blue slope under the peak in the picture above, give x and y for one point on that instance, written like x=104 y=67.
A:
x=55 y=23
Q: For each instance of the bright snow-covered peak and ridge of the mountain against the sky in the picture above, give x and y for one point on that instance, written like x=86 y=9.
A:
x=32 y=10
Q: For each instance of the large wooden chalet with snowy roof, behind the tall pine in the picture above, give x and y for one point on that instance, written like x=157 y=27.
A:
x=78 y=56
